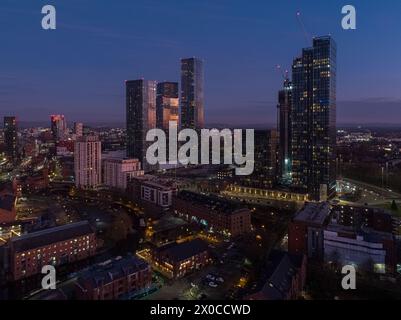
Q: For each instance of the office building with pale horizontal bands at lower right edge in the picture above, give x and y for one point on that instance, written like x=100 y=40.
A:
x=363 y=237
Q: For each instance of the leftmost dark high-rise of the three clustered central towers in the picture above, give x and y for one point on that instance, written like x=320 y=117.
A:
x=141 y=117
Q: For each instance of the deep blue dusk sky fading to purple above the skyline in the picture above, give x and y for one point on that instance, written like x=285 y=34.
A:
x=79 y=69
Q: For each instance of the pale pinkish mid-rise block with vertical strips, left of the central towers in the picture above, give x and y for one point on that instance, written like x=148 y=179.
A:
x=87 y=162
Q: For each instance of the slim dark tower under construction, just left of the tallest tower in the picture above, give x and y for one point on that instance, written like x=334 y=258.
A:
x=284 y=129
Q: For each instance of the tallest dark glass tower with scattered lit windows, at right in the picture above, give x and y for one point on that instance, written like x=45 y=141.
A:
x=313 y=114
